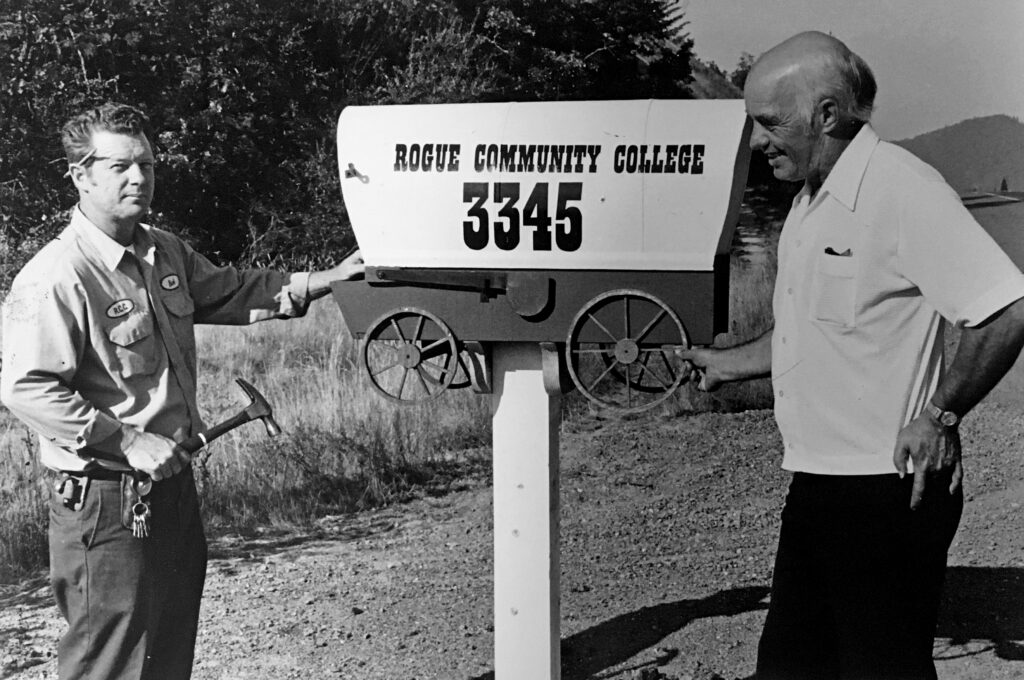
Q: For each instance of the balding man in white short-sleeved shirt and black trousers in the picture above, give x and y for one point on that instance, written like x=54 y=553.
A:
x=877 y=256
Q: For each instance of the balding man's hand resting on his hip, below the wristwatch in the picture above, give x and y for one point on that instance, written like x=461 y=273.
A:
x=935 y=451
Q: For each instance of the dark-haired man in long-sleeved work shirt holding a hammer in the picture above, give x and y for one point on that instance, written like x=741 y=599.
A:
x=100 y=360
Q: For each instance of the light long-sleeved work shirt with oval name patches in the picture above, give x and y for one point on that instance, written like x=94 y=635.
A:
x=97 y=335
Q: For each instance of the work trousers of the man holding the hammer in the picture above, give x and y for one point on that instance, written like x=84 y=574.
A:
x=132 y=605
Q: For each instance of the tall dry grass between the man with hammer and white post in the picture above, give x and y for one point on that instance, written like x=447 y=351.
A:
x=344 y=448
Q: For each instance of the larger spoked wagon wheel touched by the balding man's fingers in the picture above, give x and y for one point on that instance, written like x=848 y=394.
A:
x=612 y=358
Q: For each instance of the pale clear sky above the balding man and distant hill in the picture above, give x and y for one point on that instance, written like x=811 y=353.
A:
x=936 y=62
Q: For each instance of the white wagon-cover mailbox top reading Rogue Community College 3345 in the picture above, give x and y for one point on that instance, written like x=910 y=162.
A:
x=643 y=185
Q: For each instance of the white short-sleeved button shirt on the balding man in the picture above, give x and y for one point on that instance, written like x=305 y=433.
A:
x=869 y=270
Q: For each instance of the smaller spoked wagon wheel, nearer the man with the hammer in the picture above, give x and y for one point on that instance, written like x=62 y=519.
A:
x=410 y=356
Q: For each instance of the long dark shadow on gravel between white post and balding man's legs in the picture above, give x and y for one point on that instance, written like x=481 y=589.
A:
x=614 y=642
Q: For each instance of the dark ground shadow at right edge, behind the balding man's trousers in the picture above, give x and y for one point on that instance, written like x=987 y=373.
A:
x=984 y=606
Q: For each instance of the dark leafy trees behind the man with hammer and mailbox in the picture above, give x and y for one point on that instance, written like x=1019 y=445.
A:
x=244 y=96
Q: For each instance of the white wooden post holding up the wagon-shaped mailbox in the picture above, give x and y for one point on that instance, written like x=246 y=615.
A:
x=527 y=514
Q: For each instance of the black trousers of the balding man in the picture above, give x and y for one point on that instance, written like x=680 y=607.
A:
x=858 y=580
